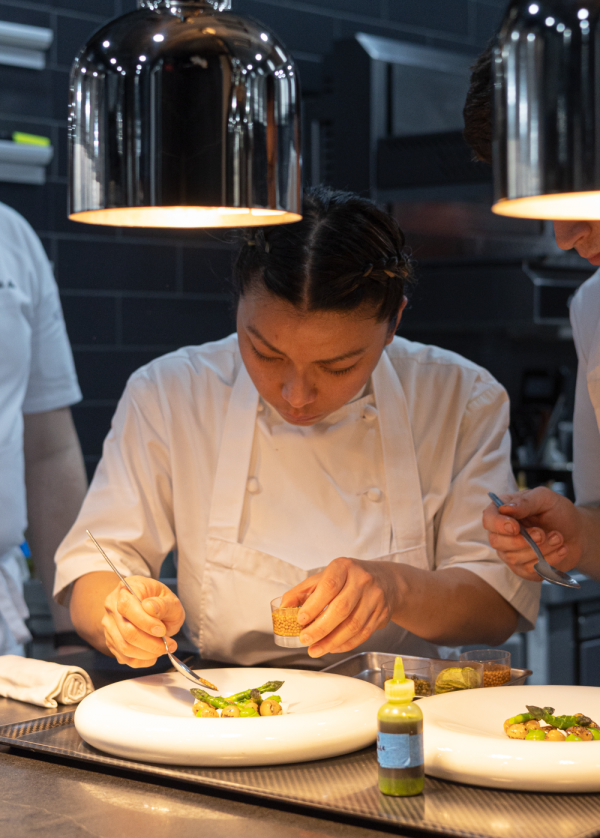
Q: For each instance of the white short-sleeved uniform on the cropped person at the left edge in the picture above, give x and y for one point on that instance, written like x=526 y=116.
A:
x=36 y=374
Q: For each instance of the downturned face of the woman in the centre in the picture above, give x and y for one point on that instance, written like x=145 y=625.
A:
x=308 y=364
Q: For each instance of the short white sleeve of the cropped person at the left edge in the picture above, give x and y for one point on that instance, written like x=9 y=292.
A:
x=52 y=380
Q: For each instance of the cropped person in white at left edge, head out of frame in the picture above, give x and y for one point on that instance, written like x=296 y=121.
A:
x=42 y=476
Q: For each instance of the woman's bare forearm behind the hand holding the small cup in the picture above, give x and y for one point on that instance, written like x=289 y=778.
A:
x=451 y=607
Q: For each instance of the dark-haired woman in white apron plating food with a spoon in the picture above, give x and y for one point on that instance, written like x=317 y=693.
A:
x=311 y=453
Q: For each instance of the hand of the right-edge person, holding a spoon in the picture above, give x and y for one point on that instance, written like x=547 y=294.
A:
x=551 y=520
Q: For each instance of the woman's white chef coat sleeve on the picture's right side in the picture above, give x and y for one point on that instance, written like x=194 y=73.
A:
x=481 y=465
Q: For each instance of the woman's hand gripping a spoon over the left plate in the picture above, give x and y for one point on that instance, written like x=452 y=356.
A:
x=133 y=630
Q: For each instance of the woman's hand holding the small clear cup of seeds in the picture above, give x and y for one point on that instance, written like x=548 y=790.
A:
x=359 y=597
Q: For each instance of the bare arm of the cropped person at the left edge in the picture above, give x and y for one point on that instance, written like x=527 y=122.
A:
x=55 y=483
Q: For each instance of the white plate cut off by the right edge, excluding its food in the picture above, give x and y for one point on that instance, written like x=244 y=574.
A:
x=465 y=741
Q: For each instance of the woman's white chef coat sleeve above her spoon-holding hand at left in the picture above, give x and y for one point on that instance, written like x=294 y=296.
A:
x=129 y=506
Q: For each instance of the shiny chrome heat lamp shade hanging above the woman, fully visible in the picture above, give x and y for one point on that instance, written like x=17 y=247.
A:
x=184 y=116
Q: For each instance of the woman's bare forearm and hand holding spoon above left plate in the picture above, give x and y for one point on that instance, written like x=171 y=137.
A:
x=106 y=615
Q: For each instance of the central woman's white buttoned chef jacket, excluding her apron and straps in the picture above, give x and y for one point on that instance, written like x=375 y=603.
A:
x=152 y=489
